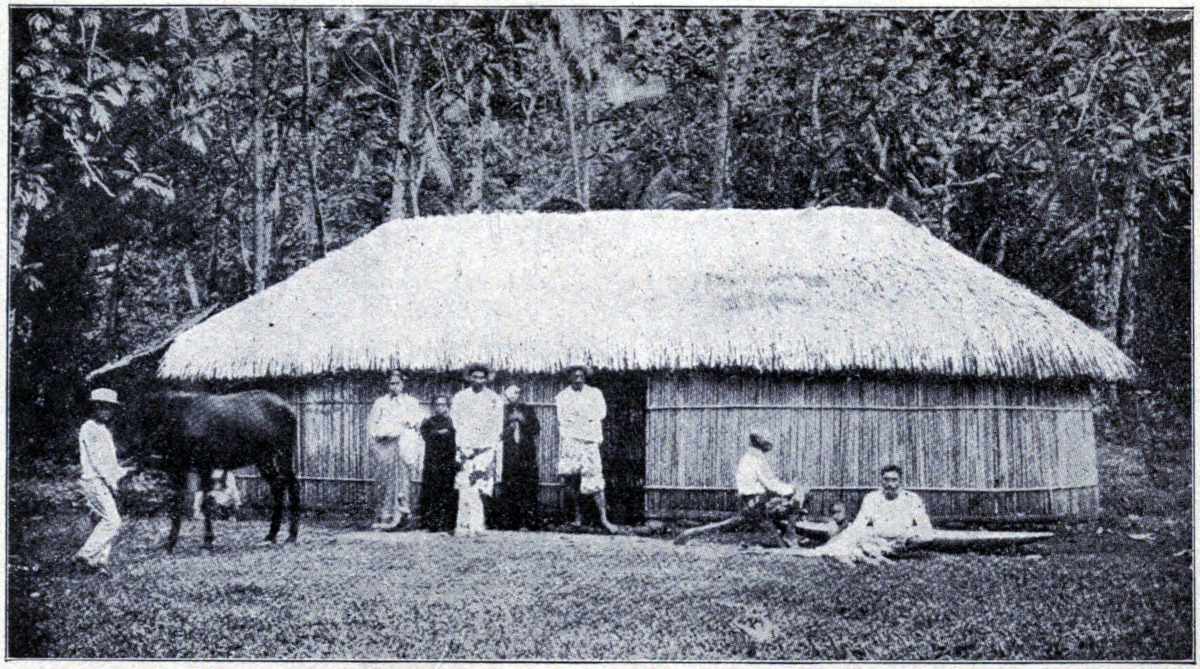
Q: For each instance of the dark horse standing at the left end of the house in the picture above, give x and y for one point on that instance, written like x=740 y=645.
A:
x=201 y=432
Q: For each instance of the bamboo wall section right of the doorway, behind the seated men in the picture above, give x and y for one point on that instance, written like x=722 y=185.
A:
x=973 y=449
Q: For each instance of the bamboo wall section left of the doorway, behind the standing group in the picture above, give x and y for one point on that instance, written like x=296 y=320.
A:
x=333 y=447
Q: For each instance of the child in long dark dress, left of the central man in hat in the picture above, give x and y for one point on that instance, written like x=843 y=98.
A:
x=440 y=501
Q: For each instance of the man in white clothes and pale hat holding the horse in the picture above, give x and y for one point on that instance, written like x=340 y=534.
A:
x=100 y=478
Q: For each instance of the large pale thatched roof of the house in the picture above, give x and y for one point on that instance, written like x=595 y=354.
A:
x=814 y=292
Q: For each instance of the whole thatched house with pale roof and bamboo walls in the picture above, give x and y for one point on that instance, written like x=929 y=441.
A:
x=863 y=340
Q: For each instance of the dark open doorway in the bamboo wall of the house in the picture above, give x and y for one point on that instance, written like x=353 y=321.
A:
x=623 y=453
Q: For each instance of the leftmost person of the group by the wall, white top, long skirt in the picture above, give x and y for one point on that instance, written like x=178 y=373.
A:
x=398 y=449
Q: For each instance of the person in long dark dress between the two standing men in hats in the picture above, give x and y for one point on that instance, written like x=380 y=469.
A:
x=518 y=504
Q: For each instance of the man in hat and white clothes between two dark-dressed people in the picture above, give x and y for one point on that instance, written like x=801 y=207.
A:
x=478 y=415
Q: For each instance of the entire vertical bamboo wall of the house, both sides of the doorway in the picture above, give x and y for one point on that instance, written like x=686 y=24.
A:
x=974 y=450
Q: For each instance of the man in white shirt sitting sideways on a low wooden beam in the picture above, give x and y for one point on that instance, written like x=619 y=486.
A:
x=765 y=498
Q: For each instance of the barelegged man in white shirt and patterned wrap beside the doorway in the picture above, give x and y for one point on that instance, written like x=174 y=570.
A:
x=581 y=411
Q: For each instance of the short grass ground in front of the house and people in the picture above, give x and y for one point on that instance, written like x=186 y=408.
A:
x=511 y=596
